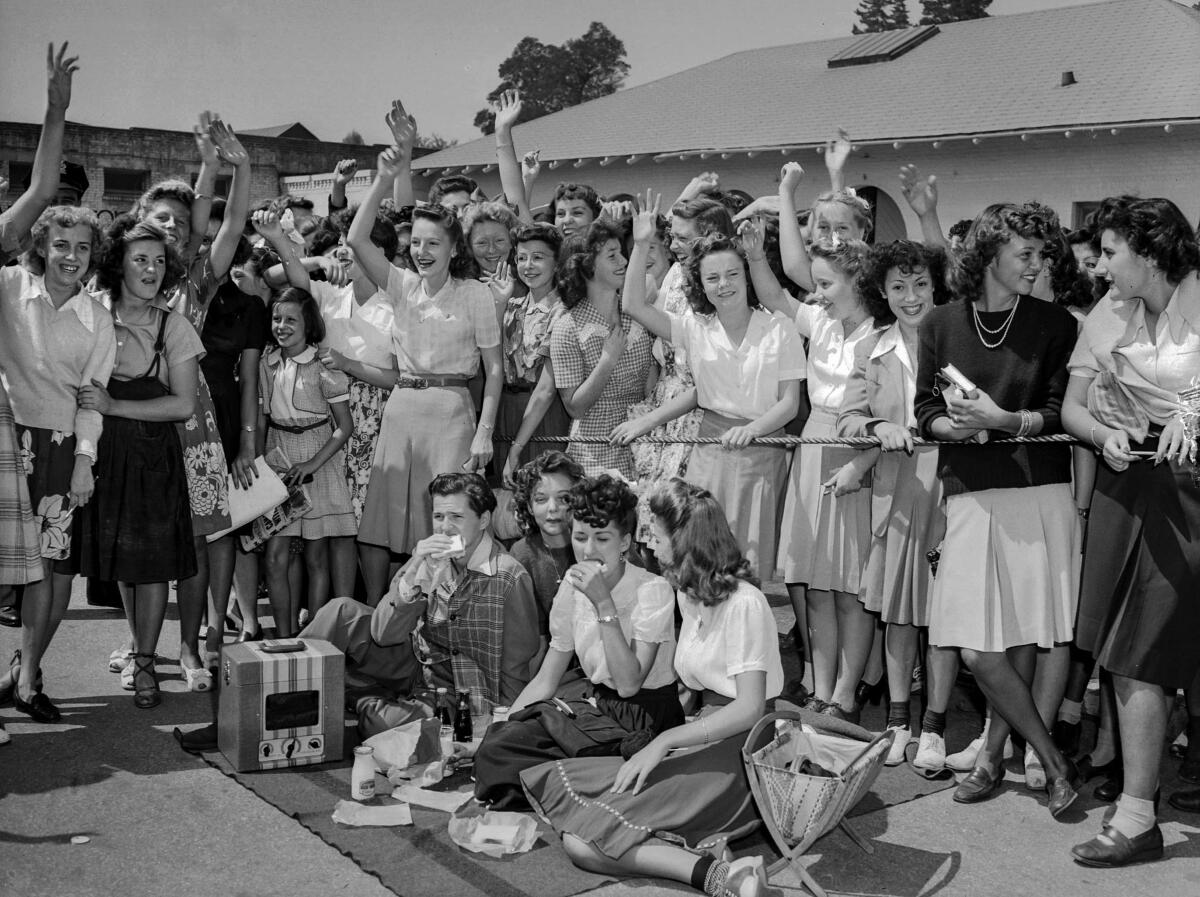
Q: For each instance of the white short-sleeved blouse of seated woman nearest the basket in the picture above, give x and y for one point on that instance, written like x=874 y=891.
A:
x=721 y=642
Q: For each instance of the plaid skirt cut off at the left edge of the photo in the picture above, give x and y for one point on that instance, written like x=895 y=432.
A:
x=21 y=550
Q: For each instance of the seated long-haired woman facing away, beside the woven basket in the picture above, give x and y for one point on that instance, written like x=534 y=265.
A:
x=670 y=816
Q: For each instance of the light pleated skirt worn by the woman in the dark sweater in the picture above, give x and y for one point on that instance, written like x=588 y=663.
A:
x=1010 y=570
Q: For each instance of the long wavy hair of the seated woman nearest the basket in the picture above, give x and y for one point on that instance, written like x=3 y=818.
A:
x=709 y=563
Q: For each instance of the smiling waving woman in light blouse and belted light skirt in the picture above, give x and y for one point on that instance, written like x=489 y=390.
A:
x=445 y=329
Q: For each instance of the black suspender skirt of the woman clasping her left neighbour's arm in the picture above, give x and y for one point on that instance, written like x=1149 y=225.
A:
x=139 y=526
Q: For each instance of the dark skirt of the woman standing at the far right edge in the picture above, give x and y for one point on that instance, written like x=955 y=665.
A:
x=1139 y=609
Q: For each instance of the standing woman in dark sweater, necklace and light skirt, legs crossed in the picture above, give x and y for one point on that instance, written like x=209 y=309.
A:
x=1007 y=580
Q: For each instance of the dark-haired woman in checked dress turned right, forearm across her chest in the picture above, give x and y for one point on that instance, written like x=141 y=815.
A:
x=602 y=357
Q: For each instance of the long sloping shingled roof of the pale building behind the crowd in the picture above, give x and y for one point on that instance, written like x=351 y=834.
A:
x=1133 y=62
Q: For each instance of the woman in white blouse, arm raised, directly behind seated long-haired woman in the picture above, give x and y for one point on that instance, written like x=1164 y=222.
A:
x=751 y=365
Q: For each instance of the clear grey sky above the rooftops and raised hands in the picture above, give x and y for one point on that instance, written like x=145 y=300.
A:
x=337 y=65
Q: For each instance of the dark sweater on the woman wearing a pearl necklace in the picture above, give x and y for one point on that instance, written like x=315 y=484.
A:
x=1028 y=371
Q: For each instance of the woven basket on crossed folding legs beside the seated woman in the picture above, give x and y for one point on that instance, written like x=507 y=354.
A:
x=799 y=809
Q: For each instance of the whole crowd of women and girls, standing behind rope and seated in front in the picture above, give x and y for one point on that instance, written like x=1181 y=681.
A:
x=393 y=342
